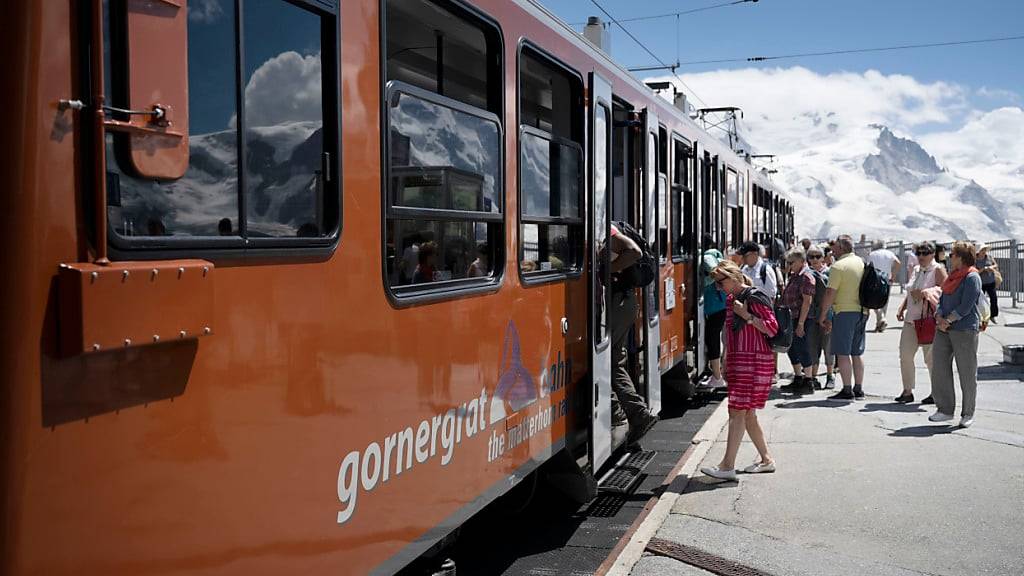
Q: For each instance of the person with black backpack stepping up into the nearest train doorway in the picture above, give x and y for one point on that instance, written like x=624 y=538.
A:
x=627 y=405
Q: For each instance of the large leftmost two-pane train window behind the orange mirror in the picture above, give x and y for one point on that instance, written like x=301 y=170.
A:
x=263 y=175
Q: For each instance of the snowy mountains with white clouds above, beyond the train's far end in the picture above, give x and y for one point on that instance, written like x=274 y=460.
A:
x=881 y=155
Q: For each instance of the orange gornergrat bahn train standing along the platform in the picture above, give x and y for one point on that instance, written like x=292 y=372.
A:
x=301 y=286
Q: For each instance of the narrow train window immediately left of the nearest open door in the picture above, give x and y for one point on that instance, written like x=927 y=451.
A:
x=551 y=167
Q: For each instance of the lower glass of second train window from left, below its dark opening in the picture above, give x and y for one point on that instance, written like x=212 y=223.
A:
x=444 y=214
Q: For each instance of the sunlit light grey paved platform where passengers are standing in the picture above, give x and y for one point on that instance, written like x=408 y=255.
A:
x=871 y=487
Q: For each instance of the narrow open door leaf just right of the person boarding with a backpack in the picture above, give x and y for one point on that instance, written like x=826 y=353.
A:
x=649 y=223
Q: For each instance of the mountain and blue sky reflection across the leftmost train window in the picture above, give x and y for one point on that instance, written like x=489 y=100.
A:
x=283 y=127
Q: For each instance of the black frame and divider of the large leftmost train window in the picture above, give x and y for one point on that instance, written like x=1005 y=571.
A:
x=261 y=250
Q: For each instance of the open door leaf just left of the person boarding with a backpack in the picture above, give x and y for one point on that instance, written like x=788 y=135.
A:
x=600 y=223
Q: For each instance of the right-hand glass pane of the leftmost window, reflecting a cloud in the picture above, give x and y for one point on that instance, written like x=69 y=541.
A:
x=284 y=120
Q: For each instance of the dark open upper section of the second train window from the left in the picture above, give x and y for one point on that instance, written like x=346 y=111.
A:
x=442 y=48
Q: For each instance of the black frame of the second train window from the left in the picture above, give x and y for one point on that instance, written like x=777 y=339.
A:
x=416 y=295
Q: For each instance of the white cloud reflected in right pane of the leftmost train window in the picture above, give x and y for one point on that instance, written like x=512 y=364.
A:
x=285 y=89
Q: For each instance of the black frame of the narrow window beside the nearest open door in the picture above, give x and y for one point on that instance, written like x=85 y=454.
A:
x=536 y=278
